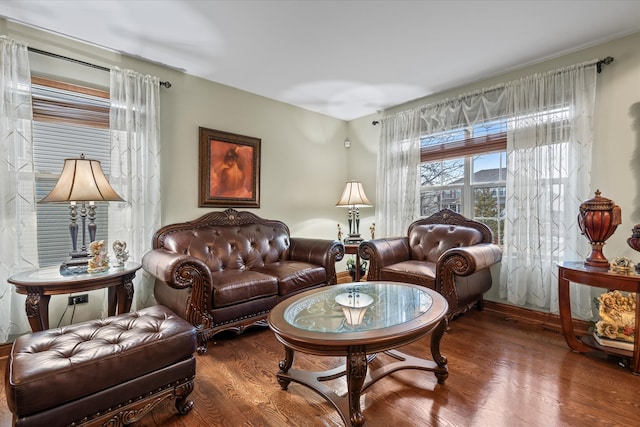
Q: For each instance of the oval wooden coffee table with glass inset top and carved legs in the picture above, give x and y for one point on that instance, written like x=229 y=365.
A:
x=359 y=347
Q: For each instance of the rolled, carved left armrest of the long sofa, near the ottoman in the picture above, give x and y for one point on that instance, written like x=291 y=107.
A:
x=182 y=272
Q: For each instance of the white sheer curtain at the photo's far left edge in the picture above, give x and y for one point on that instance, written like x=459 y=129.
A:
x=18 y=244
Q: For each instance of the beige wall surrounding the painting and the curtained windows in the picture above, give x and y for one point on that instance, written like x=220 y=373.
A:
x=304 y=162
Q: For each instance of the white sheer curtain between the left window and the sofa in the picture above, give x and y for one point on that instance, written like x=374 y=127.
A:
x=135 y=169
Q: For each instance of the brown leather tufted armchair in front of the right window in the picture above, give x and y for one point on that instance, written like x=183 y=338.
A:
x=445 y=252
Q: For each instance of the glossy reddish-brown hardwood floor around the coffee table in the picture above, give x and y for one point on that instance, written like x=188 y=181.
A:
x=501 y=373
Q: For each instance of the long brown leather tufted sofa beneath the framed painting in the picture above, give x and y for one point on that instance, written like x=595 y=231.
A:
x=226 y=270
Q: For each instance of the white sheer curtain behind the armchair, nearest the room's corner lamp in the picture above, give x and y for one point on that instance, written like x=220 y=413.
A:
x=398 y=186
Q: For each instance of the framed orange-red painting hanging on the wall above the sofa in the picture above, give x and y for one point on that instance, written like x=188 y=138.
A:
x=229 y=169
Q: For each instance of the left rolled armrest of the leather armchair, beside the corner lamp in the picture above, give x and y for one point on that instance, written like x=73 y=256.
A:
x=383 y=252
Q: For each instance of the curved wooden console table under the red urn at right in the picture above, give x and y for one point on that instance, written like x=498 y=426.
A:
x=578 y=272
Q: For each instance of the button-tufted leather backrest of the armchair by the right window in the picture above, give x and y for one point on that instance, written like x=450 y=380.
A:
x=427 y=242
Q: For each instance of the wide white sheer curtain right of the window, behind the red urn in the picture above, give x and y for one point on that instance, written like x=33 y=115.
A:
x=548 y=175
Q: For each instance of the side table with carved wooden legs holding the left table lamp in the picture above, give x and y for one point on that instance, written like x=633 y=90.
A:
x=38 y=285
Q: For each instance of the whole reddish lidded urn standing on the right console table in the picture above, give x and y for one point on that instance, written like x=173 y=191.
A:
x=598 y=219
